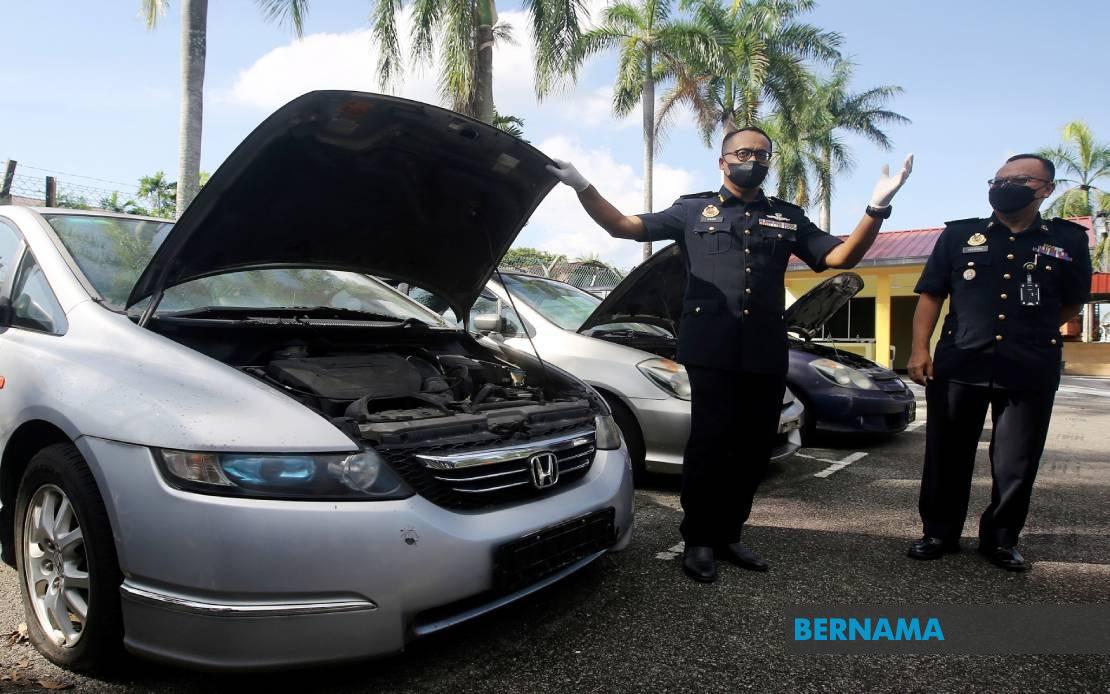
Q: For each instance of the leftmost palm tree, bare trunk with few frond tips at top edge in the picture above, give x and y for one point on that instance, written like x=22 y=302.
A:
x=194 y=53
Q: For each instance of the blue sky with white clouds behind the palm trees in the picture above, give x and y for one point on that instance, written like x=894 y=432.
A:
x=88 y=90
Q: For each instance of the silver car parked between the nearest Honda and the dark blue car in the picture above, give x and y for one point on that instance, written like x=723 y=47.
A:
x=628 y=361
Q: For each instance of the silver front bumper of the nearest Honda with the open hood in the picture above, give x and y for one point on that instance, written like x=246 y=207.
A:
x=243 y=585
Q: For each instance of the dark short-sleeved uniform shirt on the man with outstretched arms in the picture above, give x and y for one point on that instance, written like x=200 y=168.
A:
x=736 y=255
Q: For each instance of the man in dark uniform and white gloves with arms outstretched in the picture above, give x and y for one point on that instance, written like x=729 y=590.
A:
x=736 y=244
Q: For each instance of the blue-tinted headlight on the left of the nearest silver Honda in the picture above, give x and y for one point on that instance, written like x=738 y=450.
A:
x=362 y=476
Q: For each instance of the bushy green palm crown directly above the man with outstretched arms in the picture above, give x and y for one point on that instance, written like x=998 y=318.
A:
x=764 y=68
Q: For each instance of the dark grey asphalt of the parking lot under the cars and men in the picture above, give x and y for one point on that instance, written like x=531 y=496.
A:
x=834 y=522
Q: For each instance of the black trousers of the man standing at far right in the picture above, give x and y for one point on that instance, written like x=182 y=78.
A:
x=955 y=424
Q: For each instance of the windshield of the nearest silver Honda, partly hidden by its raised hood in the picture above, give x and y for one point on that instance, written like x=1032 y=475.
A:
x=112 y=253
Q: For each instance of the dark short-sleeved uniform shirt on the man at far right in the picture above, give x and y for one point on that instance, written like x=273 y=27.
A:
x=988 y=337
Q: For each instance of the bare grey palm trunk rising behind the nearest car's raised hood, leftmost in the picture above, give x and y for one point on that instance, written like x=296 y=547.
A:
x=194 y=49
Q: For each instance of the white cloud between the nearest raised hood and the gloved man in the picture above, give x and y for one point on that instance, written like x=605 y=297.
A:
x=561 y=226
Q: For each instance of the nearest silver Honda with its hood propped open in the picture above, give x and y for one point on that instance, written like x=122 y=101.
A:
x=224 y=446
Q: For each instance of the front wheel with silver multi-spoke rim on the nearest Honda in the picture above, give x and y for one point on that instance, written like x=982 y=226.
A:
x=89 y=576
